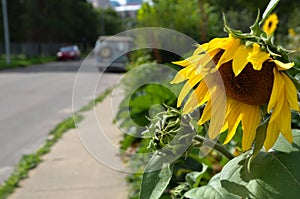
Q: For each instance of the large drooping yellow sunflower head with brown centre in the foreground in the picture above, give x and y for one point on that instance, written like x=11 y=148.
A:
x=248 y=78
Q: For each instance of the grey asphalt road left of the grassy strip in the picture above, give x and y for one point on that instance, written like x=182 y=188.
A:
x=36 y=98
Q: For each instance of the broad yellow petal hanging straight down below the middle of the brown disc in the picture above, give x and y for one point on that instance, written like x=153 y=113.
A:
x=250 y=121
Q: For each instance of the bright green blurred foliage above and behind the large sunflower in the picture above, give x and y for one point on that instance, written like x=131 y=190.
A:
x=202 y=19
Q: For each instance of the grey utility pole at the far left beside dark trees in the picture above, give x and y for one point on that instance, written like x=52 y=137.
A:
x=6 y=31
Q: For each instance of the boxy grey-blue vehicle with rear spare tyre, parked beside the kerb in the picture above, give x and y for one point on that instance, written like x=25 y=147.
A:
x=112 y=53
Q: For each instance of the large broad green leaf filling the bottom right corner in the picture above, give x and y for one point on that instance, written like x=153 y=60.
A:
x=274 y=174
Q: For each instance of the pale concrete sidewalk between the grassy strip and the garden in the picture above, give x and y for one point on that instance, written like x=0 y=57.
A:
x=69 y=171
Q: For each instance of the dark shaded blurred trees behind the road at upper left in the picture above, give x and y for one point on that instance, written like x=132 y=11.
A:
x=58 y=21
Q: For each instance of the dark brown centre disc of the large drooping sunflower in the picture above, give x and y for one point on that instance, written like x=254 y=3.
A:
x=250 y=86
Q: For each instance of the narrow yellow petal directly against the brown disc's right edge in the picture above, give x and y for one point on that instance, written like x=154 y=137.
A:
x=277 y=89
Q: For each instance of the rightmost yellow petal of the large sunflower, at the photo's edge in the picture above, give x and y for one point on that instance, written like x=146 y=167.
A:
x=290 y=92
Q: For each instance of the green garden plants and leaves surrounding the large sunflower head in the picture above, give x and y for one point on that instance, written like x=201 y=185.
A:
x=156 y=125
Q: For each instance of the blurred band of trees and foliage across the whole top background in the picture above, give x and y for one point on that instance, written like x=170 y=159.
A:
x=78 y=21
